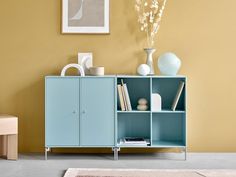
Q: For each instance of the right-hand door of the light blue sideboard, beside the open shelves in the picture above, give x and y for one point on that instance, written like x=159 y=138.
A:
x=97 y=112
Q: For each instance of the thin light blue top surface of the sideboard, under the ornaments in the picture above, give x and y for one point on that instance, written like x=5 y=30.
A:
x=118 y=76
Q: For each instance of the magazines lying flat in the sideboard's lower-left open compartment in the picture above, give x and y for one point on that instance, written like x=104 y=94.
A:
x=134 y=141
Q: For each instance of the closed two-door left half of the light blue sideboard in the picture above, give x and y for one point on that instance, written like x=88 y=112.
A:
x=80 y=112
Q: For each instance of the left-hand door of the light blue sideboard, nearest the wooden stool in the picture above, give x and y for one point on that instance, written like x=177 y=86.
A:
x=62 y=112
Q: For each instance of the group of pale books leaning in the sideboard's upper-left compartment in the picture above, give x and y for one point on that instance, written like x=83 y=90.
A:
x=124 y=98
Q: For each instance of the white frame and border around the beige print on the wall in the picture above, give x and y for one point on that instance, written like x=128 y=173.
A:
x=67 y=28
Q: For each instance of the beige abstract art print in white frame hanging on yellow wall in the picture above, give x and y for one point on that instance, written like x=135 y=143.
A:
x=85 y=16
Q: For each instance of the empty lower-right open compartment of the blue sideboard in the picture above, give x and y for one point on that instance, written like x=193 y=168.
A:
x=168 y=130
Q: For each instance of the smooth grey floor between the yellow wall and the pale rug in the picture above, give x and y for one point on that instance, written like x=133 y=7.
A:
x=34 y=165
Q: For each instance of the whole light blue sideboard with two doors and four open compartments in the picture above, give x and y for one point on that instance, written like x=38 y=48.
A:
x=85 y=112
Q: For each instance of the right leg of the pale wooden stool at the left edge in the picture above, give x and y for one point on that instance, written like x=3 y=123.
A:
x=12 y=147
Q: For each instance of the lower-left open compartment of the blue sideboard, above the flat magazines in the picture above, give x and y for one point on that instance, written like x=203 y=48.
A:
x=133 y=125
